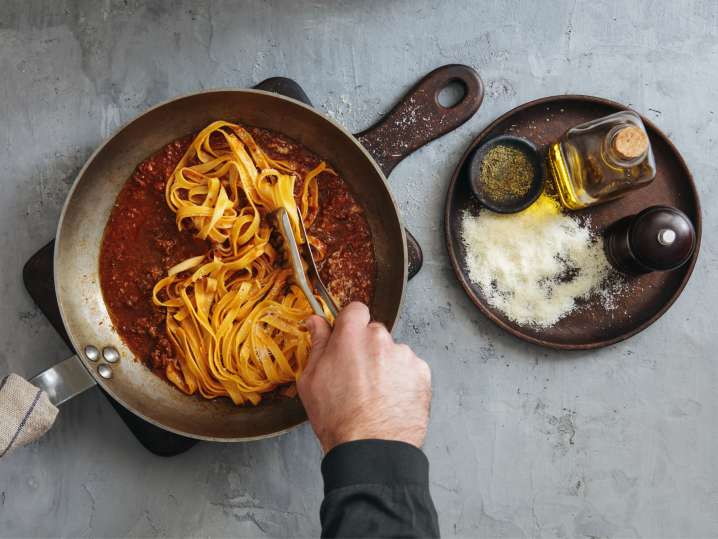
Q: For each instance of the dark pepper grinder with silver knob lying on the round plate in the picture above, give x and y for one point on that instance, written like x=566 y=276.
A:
x=659 y=238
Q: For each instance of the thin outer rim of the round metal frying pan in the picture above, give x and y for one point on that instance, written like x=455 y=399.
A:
x=77 y=345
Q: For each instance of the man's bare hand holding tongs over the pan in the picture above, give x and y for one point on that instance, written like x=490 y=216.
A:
x=360 y=384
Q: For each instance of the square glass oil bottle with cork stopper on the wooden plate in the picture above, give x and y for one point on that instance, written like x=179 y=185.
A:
x=601 y=160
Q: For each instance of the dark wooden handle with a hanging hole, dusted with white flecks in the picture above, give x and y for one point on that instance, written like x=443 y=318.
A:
x=419 y=118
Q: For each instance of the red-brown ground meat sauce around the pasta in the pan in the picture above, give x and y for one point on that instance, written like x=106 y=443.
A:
x=142 y=242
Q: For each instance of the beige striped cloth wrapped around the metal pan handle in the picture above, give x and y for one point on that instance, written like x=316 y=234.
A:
x=26 y=413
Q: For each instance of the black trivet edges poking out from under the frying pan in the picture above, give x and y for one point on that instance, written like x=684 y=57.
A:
x=38 y=277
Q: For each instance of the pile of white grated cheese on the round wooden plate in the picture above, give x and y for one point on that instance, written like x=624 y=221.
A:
x=535 y=265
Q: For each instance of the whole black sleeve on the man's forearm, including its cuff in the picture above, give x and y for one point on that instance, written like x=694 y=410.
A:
x=377 y=488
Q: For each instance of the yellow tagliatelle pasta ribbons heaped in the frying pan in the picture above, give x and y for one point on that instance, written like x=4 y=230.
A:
x=234 y=316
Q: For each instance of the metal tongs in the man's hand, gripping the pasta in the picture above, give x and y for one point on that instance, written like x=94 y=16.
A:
x=291 y=247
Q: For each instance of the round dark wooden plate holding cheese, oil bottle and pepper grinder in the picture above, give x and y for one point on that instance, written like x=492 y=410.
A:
x=646 y=297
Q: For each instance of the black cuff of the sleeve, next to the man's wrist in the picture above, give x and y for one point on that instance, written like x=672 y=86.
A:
x=381 y=462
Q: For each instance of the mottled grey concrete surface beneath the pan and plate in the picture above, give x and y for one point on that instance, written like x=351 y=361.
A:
x=523 y=442
